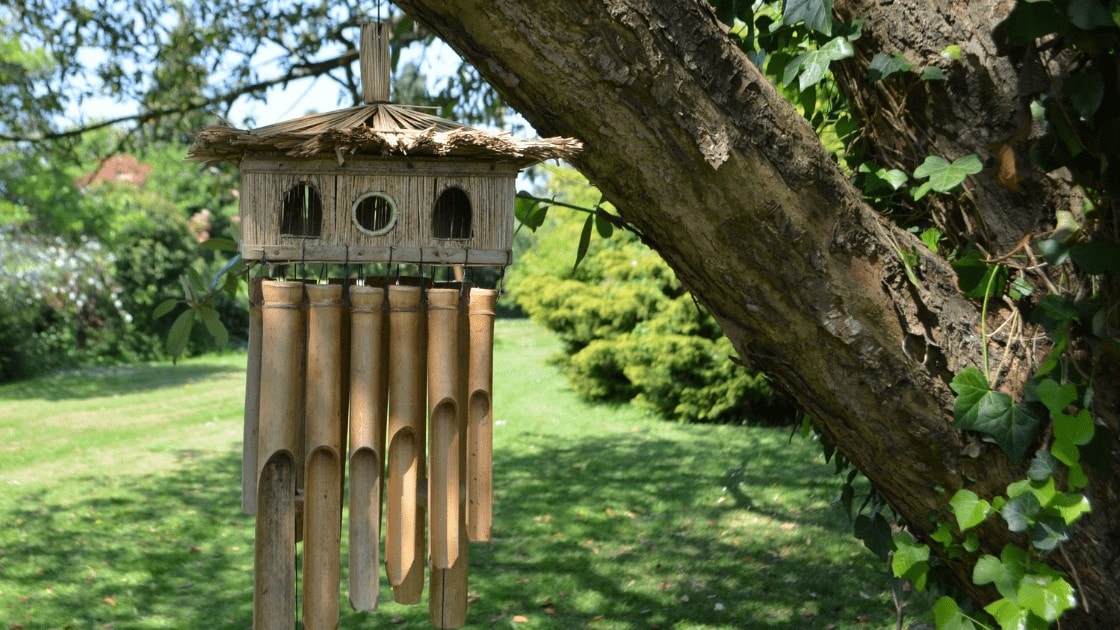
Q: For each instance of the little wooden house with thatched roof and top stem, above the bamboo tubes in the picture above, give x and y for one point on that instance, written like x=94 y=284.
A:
x=377 y=183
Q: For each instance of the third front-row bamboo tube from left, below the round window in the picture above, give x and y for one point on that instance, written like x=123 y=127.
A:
x=369 y=397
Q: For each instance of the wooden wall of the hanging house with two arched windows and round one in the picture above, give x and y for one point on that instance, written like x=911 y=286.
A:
x=426 y=229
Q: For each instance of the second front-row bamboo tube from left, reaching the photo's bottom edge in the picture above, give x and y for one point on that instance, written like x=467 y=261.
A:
x=324 y=434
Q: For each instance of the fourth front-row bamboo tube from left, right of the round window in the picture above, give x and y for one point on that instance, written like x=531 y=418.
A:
x=405 y=524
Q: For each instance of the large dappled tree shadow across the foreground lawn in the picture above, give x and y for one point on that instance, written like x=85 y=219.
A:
x=627 y=532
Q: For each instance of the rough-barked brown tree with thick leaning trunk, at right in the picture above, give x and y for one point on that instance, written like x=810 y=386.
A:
x=732 y=187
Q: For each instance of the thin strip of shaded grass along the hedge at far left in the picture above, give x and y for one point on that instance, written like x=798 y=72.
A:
x=92 y=383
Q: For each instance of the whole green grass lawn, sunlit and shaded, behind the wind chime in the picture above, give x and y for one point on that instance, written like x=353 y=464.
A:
x=120 y=508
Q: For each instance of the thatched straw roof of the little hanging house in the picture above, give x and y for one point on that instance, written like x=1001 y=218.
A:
x=377 y=129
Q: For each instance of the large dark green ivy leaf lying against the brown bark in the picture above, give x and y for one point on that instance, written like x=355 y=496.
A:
x=981 y=410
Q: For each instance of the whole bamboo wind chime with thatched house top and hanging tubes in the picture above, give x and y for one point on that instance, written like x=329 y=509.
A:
x=388 y=377
